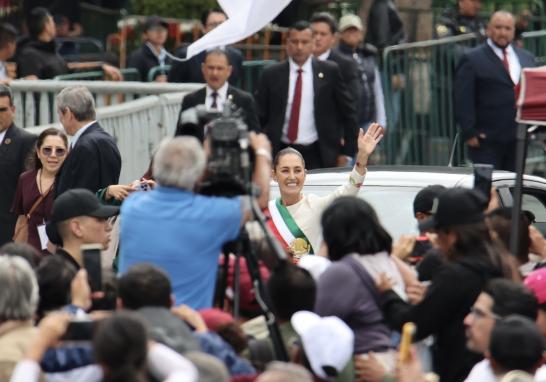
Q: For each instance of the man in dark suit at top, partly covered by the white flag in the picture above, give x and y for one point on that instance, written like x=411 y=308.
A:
x=190 y=71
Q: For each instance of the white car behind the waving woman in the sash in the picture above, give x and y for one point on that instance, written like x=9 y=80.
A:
x=391 y=190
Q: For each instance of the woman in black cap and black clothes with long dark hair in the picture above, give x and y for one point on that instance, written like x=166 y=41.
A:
x=472 y=258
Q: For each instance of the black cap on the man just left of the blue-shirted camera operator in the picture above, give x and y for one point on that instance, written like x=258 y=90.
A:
x=73 y=203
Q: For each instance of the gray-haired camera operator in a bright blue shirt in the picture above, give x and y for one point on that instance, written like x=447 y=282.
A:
x=180 y=231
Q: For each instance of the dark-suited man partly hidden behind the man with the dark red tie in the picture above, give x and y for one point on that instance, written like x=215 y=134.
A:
x=324 y=27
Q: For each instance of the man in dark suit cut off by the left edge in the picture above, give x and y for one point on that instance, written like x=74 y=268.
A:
x=15 y=146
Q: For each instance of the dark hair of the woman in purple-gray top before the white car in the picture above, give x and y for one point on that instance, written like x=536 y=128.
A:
x=350 y=225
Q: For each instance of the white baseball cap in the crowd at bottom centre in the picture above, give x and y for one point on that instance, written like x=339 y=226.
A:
x=328 y=342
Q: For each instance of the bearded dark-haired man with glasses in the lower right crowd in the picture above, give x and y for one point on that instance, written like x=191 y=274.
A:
x=500 y=298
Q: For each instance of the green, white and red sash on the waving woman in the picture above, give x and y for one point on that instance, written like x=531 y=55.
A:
x=283 y=225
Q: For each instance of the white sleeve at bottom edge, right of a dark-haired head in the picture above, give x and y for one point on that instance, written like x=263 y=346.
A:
x=166 y=364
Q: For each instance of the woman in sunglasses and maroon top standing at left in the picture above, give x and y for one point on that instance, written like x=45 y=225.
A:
x=33 y=200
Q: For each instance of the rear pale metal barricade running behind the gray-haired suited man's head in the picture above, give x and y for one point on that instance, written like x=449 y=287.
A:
x=35 y=100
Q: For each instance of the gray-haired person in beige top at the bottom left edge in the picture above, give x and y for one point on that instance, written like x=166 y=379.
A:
x=18 y=303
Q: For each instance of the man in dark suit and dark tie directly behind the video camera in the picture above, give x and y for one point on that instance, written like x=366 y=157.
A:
x=216 y=70
